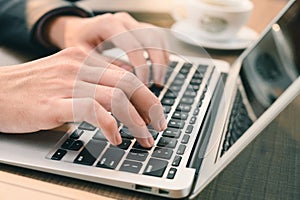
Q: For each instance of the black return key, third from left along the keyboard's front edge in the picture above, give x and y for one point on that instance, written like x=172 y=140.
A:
x=111 y=158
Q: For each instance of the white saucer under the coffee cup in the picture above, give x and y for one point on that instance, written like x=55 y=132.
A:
x=184 y=32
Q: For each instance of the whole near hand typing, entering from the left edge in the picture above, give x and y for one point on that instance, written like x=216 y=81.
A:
x=69 y=87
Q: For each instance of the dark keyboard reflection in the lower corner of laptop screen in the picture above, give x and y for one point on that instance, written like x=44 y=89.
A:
x=239 y=122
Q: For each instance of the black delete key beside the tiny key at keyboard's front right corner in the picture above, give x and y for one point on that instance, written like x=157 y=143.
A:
x=155 y=167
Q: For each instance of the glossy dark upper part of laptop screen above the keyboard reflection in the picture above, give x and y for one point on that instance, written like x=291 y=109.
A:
x=274 y=63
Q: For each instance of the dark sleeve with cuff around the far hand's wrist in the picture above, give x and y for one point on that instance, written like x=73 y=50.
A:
x=22 y=21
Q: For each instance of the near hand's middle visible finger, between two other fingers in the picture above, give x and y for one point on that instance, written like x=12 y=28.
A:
x=116 y=101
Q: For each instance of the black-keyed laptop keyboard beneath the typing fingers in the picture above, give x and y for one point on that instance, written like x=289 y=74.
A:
x=181 y=100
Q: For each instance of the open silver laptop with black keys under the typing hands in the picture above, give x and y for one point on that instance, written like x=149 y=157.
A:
x=213 y=111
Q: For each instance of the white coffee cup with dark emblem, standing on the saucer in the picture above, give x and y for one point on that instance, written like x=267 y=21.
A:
x=214 y=19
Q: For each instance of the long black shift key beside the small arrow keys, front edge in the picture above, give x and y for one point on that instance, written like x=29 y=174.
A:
x=90 y=153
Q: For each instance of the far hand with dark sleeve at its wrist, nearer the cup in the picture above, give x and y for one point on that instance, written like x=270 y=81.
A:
x=123 y=31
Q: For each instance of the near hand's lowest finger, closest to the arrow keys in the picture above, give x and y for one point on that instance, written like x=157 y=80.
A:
x=89 y=110
